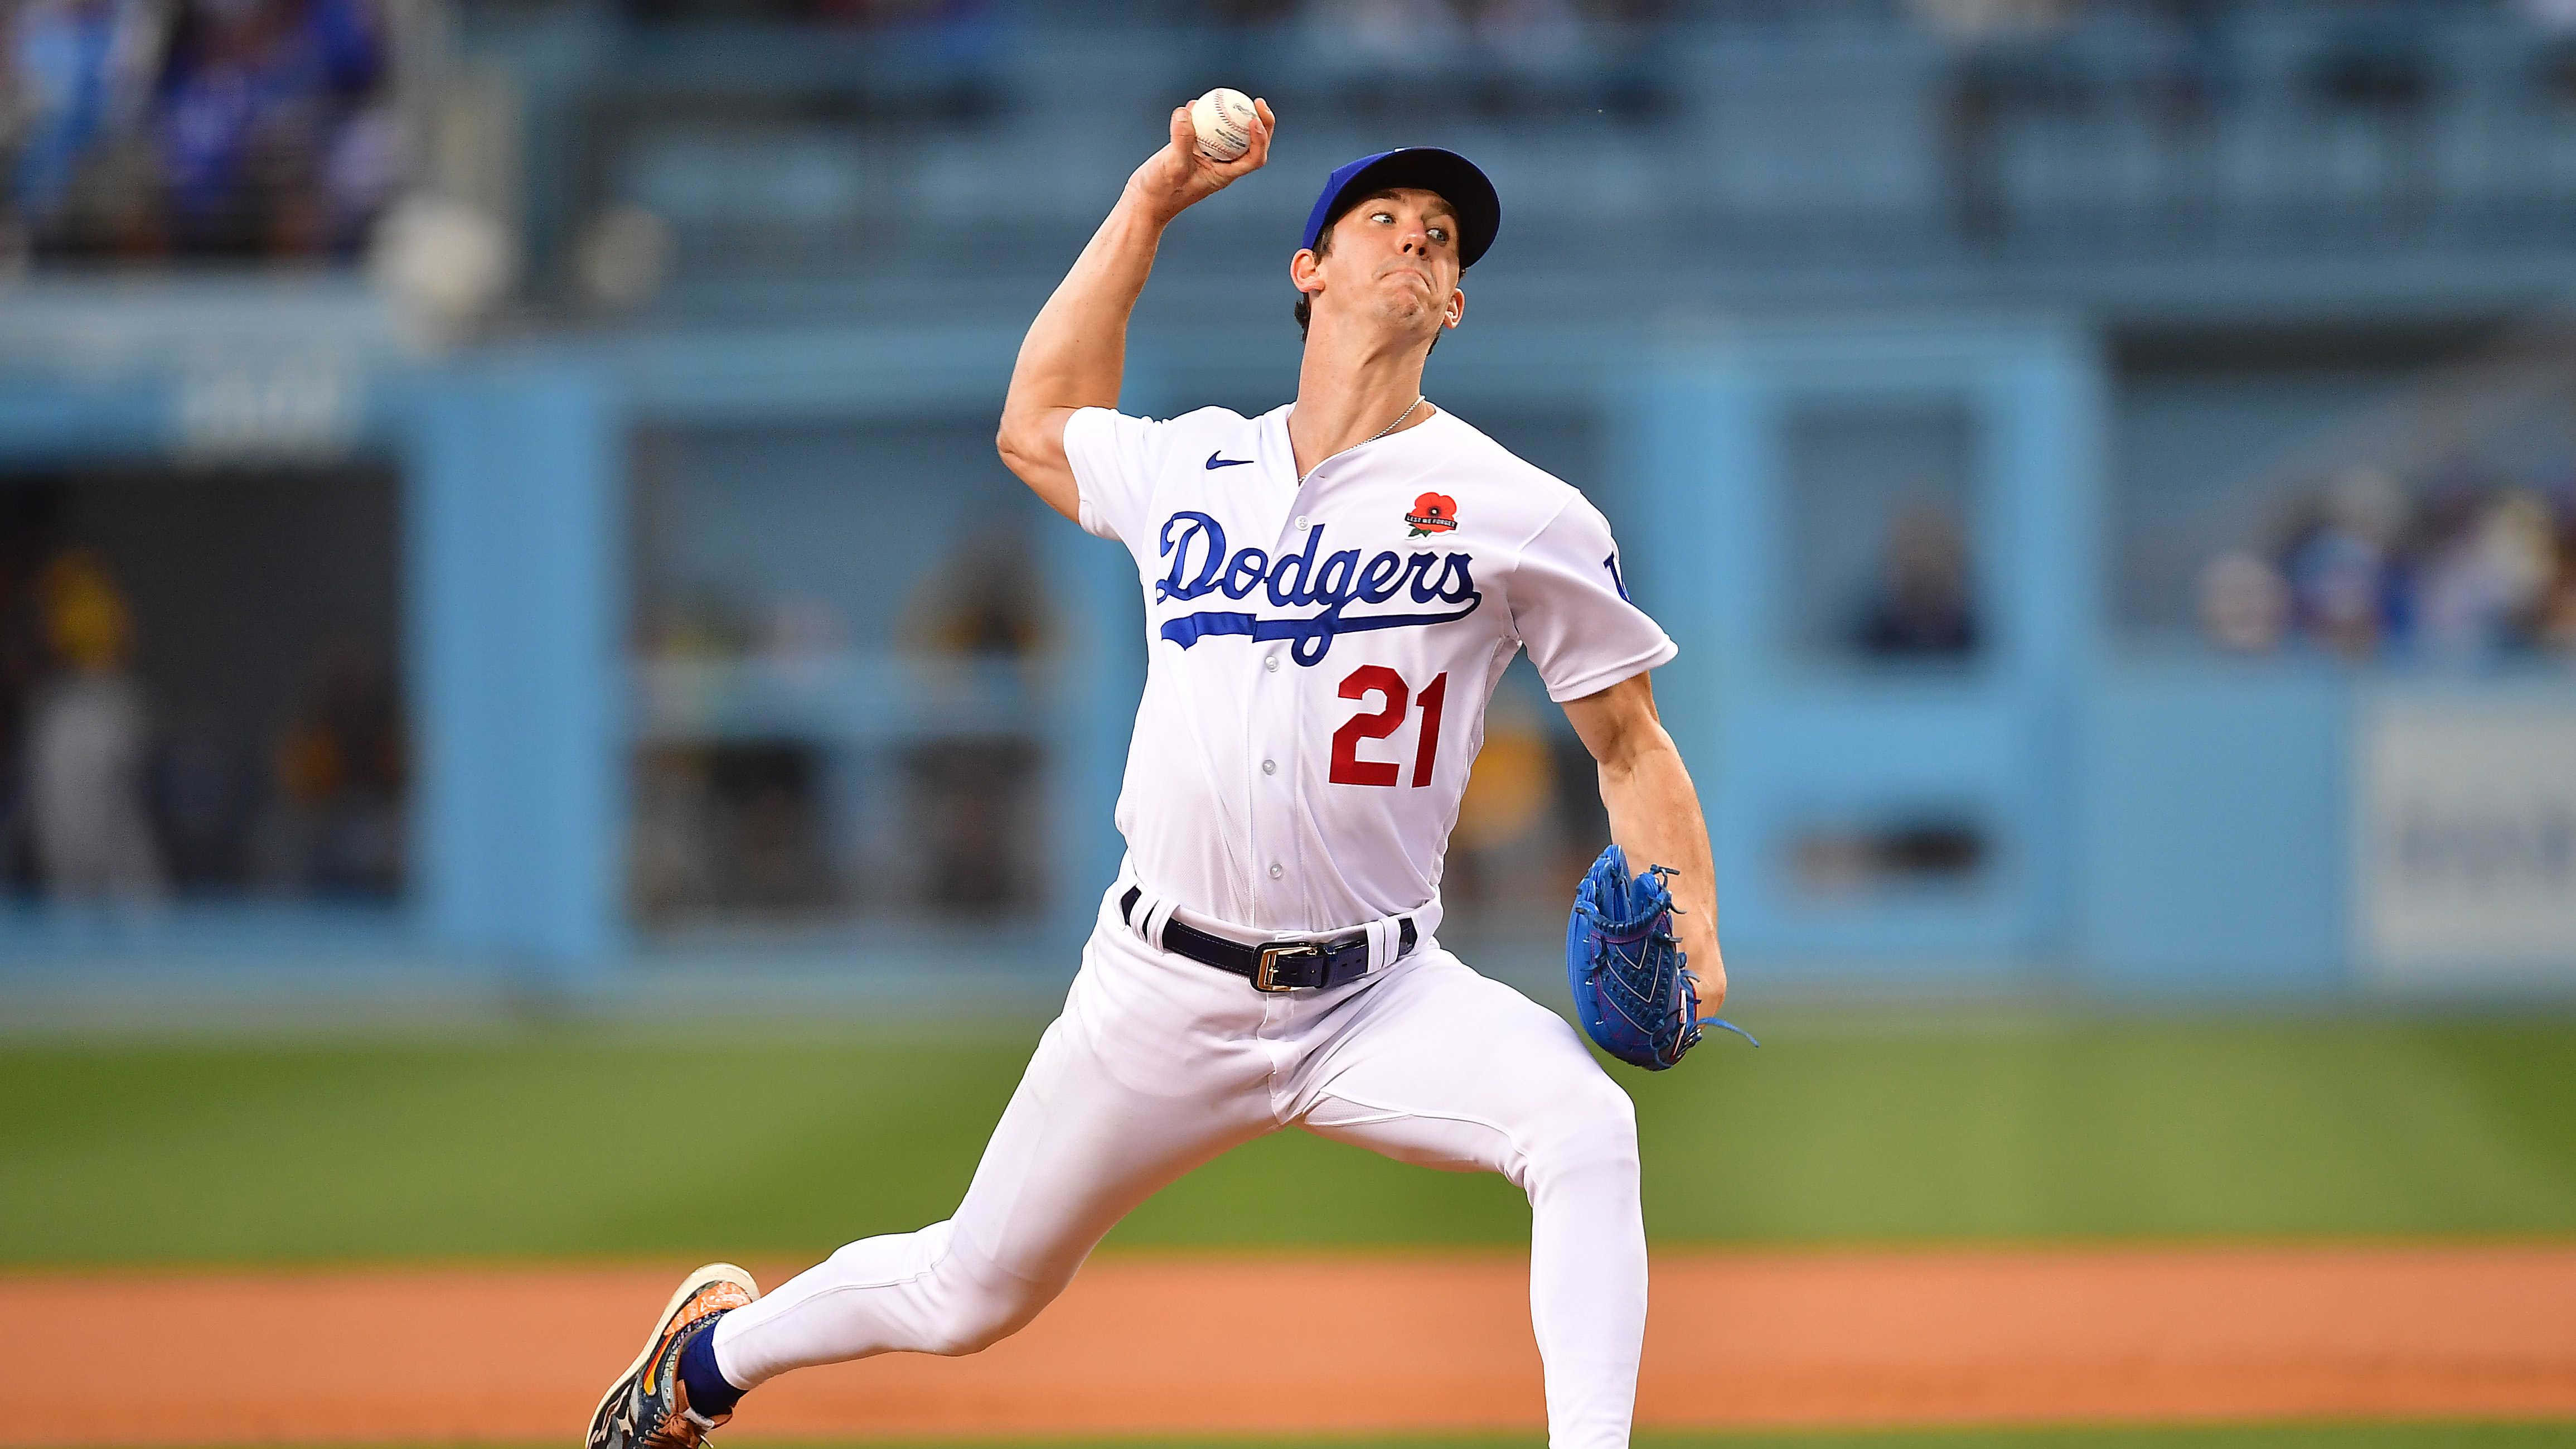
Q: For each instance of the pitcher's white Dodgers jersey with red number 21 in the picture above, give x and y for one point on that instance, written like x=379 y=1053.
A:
x=1323 y=654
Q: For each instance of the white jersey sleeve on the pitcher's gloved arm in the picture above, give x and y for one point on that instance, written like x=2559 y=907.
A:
x=1573 y=612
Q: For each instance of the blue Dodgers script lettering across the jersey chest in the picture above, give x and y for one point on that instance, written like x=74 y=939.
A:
x=1202 y=566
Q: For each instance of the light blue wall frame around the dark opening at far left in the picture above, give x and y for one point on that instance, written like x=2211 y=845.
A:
x=511 y=633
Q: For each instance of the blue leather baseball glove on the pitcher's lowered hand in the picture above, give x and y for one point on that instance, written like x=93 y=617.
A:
x=1632 y=984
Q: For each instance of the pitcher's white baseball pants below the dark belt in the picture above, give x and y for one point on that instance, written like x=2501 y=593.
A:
x=1163 y=1064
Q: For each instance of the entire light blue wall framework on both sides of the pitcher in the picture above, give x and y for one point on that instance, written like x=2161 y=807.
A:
x=2155 y=824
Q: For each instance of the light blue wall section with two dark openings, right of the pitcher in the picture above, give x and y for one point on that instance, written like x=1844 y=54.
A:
x=1799 y=741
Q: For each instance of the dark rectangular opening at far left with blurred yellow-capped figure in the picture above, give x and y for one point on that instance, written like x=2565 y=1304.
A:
x=202 y=685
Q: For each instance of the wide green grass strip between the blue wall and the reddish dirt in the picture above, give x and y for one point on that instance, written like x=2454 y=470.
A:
x=1841 y=1131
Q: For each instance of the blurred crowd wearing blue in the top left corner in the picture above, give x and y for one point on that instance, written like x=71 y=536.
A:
x=207 y=128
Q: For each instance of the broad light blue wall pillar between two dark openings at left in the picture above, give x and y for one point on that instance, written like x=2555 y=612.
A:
x=516 y=646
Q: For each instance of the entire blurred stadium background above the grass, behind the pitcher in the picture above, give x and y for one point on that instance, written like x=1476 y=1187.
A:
x=504 y=489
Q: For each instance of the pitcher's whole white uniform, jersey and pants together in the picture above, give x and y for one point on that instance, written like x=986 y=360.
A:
x=1320 y=666
